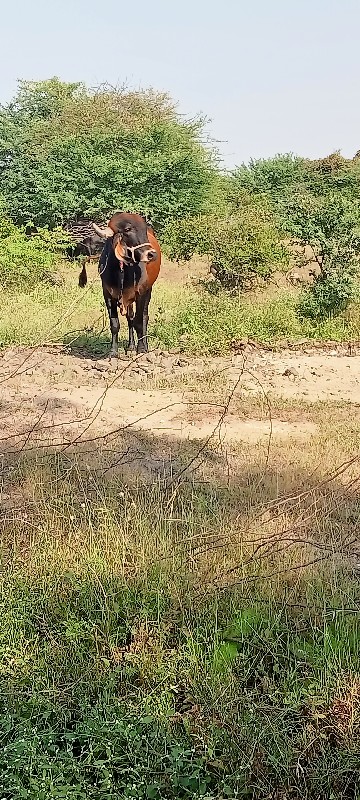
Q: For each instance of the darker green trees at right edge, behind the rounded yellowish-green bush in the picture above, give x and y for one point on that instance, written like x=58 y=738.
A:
x=316 y=203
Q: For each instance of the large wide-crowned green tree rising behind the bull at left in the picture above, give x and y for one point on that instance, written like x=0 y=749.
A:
x=67 y=152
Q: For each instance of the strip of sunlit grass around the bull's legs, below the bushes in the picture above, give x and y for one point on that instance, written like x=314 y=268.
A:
x=180 y=316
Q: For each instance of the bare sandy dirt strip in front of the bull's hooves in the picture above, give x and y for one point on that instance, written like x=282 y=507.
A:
x=73 y=397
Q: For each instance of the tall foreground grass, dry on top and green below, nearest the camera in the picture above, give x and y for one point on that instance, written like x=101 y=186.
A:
x=143 y=655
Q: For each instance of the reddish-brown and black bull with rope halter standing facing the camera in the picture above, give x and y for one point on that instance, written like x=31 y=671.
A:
x=129 y=266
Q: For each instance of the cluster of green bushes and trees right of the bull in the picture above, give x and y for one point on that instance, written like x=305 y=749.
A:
x=261 y=204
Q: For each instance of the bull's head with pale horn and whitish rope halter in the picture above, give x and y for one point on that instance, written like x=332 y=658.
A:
x=130 y=241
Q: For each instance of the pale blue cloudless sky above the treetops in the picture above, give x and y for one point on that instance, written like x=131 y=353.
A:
x=273 y=75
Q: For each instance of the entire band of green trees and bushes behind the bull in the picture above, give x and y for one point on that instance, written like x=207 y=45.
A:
x=67 y=152
